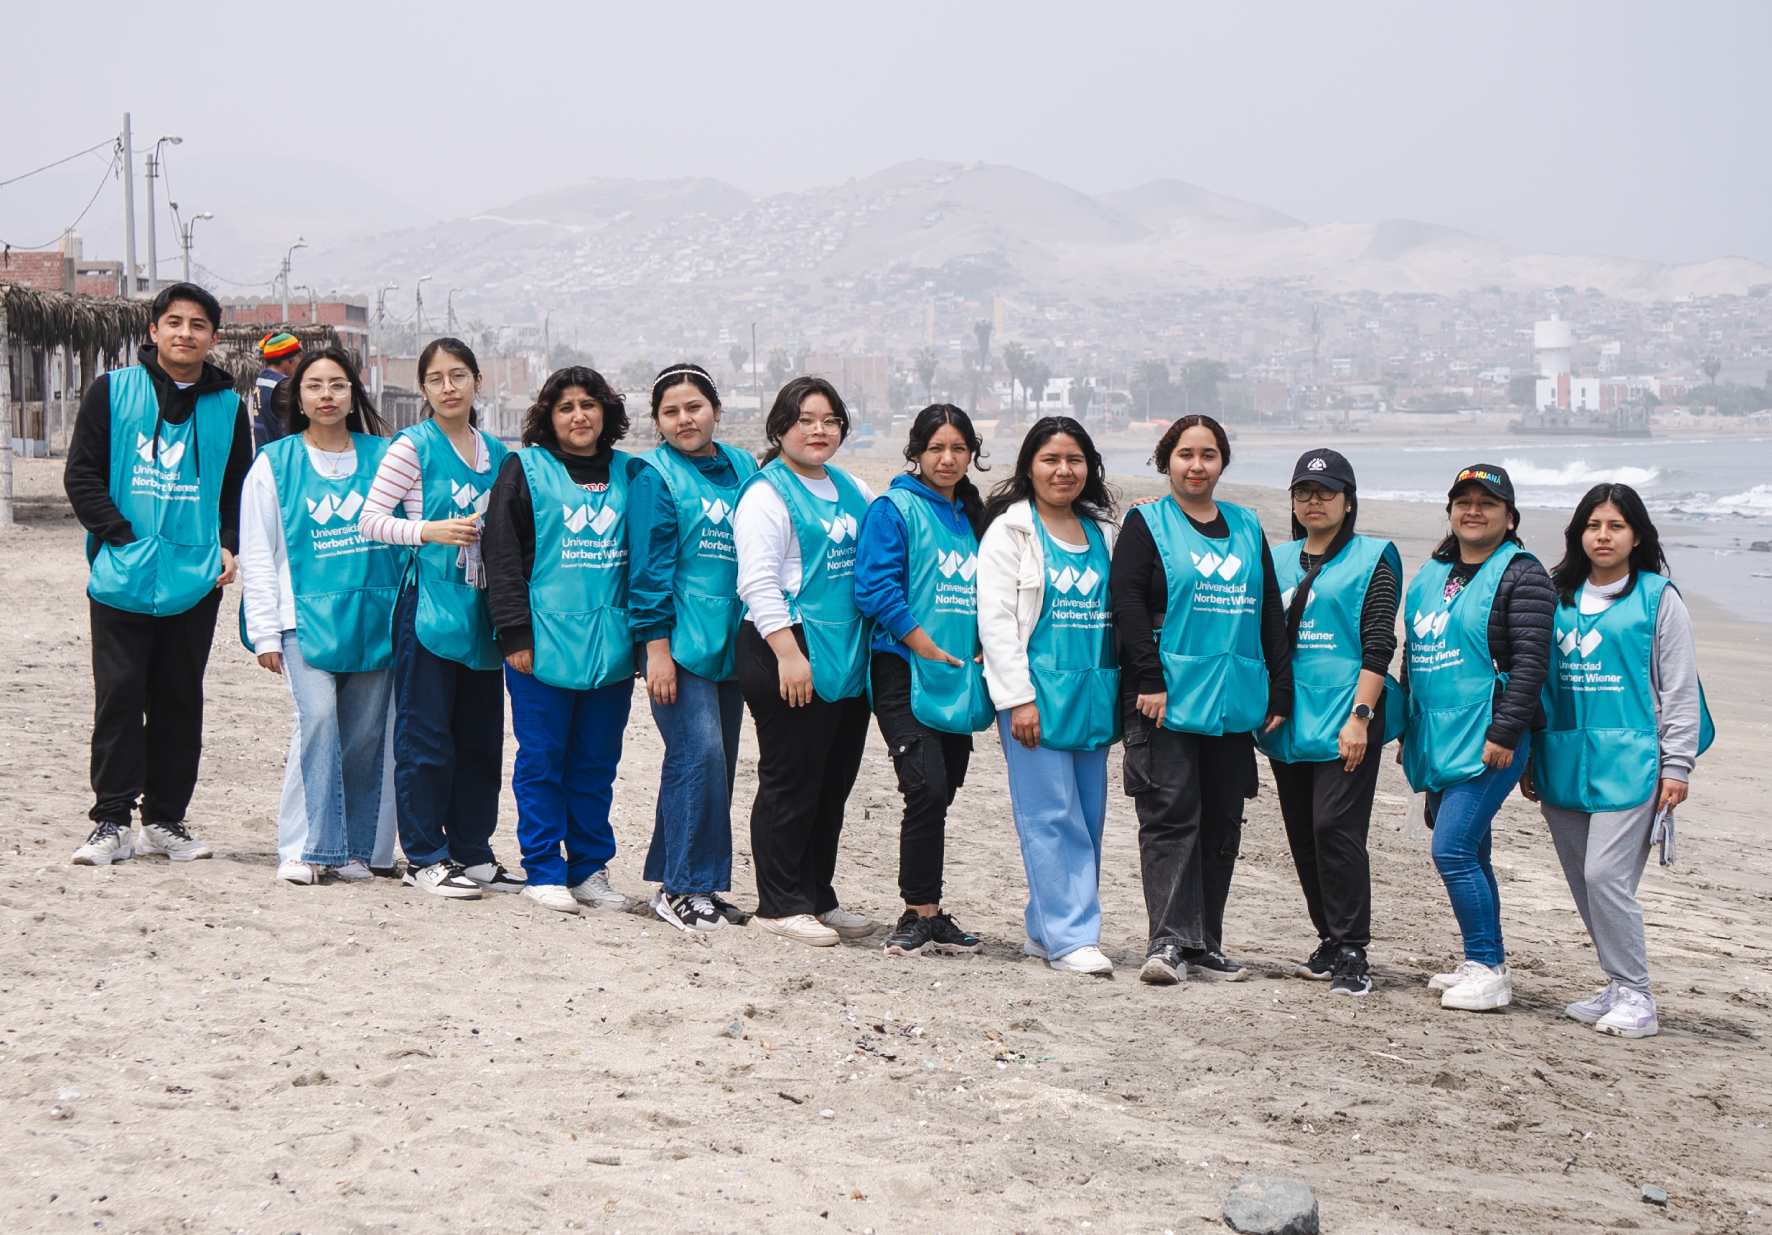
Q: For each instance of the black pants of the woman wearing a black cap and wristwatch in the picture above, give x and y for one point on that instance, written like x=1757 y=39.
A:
x=1328 y=814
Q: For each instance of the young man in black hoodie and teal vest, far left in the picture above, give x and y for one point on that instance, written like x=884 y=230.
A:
x=153 y=474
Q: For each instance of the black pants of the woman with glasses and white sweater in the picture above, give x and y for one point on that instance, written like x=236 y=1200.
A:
x=807 y=763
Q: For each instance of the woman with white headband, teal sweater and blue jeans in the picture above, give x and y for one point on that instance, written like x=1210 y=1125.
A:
x=683 y=610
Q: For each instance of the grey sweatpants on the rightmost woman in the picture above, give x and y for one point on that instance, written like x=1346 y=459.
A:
x=1603 y=858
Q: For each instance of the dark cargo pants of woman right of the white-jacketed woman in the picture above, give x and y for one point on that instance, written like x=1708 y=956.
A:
x=1188 y=791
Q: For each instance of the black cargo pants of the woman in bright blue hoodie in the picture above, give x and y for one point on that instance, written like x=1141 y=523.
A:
x=931 y=770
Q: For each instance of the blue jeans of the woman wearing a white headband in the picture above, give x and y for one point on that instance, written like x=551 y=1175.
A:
x=692 y=830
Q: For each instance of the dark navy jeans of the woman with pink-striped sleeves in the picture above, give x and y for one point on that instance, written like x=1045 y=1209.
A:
x=449 y=749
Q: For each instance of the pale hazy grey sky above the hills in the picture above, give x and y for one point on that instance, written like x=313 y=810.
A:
x=1608 y=128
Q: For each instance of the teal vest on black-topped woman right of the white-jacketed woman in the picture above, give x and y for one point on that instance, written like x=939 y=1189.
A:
x=1211 y=639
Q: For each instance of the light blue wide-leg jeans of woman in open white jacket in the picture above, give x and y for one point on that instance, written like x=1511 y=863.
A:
x=1061 y=802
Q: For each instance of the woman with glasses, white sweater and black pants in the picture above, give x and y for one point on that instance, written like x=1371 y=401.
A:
x=804 y=660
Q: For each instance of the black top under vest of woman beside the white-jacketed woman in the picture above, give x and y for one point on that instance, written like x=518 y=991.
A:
x=1142 y=594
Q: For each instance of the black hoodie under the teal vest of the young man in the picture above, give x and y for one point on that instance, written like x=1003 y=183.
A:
x=86 y=479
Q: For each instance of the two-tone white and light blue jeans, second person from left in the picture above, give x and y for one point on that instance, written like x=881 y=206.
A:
x=338 y=759
